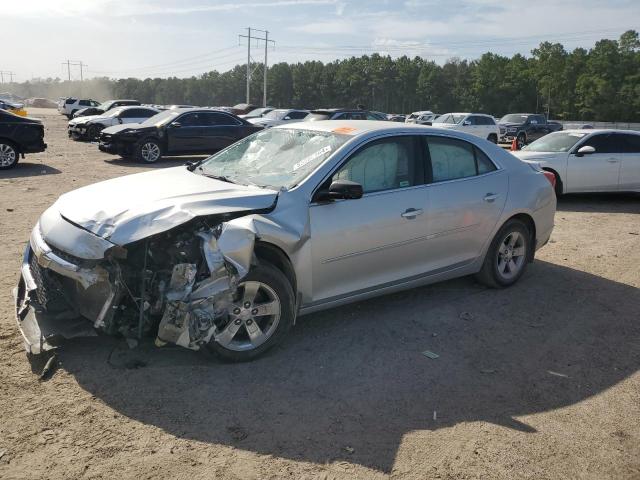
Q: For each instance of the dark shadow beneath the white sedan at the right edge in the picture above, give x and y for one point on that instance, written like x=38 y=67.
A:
x=600 y=202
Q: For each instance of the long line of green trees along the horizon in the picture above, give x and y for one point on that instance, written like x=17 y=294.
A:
x=599 y=84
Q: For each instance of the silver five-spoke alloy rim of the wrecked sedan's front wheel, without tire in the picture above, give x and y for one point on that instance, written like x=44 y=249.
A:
x=253 y=317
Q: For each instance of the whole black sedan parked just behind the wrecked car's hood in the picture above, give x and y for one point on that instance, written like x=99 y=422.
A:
x=176 y=132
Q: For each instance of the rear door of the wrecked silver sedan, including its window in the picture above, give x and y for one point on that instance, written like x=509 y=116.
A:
x=467 y=193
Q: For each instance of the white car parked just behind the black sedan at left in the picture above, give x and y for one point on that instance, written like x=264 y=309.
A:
x=88 y=128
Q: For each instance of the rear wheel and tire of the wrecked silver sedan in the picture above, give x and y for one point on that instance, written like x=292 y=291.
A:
x=495 y=272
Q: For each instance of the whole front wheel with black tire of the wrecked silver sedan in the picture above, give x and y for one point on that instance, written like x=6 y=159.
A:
x=234 y=343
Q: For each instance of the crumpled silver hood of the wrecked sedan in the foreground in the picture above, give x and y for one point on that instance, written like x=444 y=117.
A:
x=133 y=207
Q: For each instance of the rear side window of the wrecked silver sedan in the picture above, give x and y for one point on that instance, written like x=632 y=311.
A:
x=452 y=159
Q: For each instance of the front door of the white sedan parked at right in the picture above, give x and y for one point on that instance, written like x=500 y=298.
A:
x=594 y=172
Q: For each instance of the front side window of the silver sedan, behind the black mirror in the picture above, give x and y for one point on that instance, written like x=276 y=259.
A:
x=383 y=165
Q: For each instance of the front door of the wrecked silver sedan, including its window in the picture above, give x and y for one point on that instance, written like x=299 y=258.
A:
x=380 y=238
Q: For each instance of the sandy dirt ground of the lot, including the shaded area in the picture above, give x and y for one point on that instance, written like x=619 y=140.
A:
x=537 y=381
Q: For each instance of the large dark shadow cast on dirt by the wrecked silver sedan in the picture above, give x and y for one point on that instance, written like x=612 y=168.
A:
x=355 y=376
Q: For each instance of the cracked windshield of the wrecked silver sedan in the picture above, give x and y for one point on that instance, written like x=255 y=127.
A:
x=275 y=157
